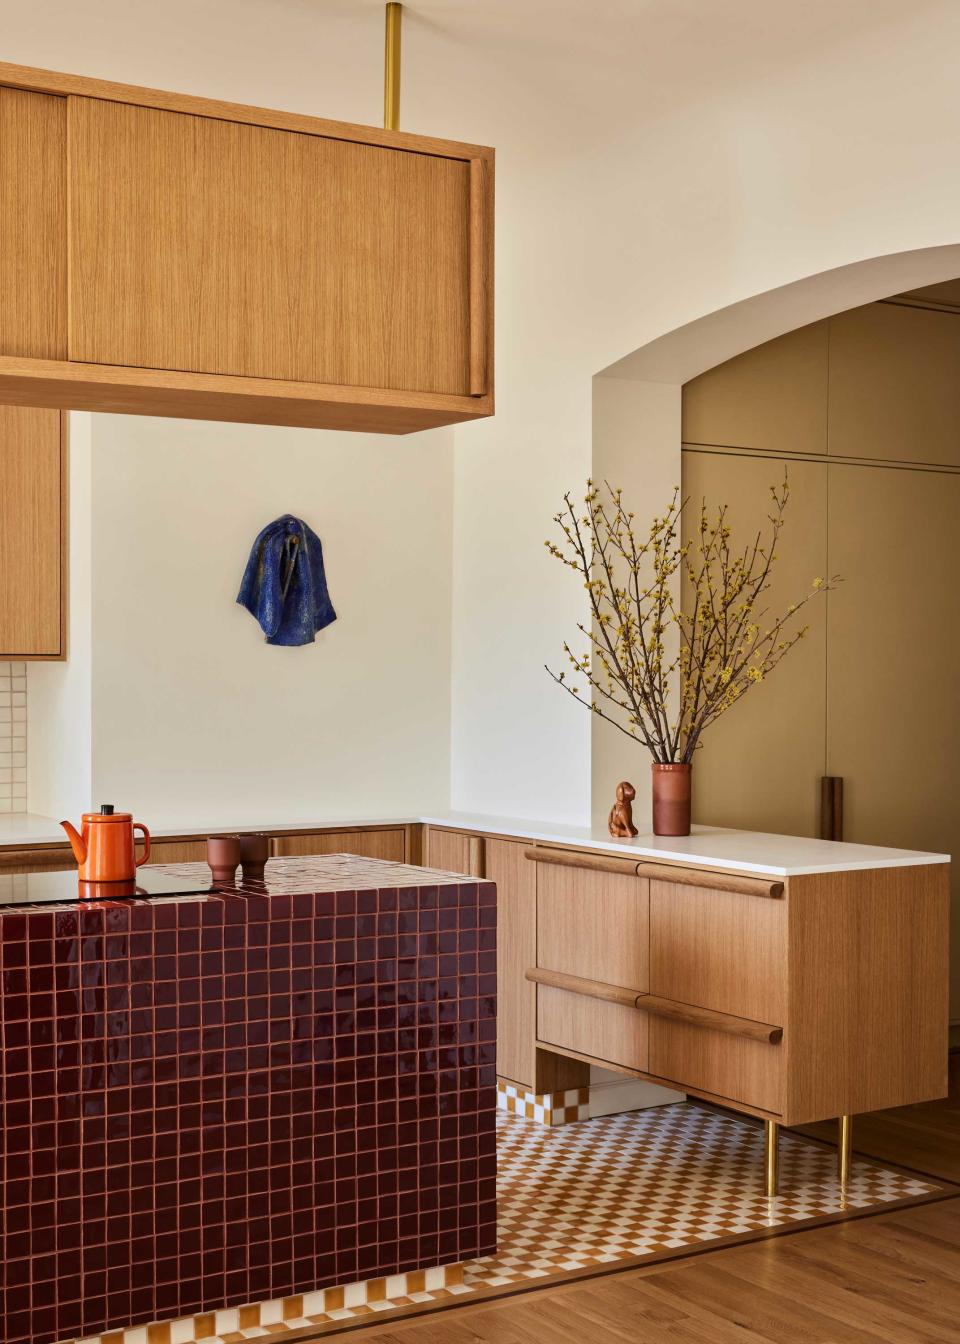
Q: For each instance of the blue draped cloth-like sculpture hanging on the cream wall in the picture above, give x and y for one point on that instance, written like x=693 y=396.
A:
x=284 y=584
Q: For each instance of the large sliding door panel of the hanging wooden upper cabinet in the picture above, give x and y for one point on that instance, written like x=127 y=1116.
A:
x=227 y=248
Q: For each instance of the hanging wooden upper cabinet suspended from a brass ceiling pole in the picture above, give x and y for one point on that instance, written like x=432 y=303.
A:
x=228 y=263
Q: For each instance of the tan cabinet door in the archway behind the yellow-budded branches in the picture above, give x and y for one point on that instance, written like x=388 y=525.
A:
x=760 y=765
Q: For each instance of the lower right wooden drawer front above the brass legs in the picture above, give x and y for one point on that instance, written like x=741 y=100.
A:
x=742 y=1070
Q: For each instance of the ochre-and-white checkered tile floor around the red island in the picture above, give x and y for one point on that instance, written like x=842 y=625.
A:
x=588 y=1198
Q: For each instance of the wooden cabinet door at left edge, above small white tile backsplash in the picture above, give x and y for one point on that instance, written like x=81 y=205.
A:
x=32 y=579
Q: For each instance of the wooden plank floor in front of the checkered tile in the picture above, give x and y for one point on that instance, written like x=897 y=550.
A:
x=891 y=1279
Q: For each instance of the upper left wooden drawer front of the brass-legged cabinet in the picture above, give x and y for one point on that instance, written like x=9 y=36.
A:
x=595 y=925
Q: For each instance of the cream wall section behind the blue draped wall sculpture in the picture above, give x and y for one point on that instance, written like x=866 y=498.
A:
x=194 y=714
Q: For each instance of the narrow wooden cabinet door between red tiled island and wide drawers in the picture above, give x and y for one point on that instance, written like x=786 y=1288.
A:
x=516 y=880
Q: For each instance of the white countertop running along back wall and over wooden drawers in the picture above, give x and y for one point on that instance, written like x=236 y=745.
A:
x=751 y=851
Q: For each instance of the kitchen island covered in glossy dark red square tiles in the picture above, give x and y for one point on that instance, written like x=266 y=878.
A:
x=240 y=1096
